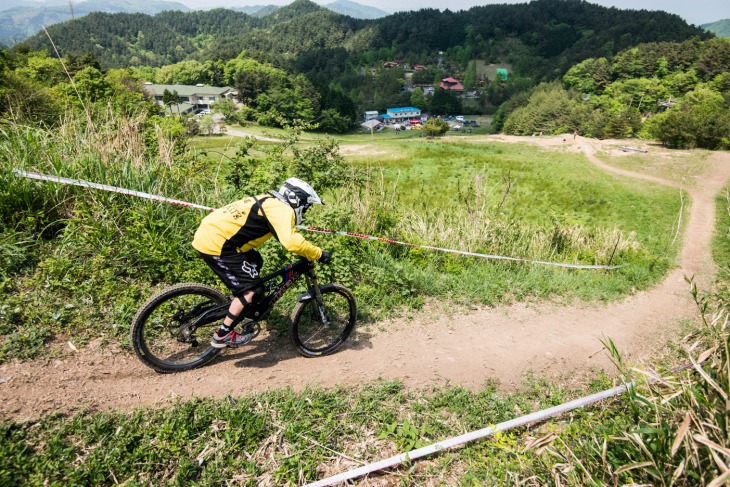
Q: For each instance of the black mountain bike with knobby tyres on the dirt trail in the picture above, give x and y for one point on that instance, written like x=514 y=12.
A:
x=172 y=330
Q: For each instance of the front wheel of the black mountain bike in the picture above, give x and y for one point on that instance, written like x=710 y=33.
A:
x=320 y=330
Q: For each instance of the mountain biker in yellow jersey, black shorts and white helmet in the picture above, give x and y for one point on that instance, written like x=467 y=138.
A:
x=227 y=238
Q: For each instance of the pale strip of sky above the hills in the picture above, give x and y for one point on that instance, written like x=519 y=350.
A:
x=695 y=12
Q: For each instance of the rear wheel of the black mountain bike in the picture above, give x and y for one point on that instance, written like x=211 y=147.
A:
x=171 y=332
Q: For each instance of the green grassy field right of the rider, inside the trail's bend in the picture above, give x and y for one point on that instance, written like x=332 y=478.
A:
x=504 y=199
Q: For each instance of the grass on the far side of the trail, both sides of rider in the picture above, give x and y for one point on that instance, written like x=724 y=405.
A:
x=95 y=255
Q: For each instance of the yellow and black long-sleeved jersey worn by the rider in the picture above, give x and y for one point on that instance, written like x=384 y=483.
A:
x=236 y=228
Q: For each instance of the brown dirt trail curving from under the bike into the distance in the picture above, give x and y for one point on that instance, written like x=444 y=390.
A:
x=502 y=343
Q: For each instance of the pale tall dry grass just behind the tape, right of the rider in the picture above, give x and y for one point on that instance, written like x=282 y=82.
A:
x=474 y=223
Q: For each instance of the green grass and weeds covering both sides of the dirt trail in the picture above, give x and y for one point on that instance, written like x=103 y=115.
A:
x=78 y=258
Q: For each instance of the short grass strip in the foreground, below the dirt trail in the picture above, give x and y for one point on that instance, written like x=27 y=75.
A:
x=280 y=437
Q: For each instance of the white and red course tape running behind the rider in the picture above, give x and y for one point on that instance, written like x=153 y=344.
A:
x=153 y=197
